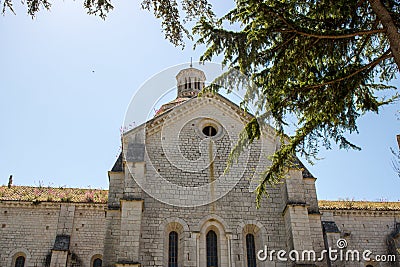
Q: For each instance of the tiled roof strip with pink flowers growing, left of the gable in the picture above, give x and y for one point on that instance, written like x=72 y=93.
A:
x=52 y=194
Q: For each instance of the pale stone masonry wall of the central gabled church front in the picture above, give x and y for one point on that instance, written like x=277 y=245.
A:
x=177 y=151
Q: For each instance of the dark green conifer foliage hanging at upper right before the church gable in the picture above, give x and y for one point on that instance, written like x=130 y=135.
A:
x=324 y=63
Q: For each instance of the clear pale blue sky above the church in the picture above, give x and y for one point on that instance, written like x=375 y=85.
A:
x=67 y=79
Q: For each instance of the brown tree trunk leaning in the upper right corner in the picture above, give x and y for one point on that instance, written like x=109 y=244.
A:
x=391 y=30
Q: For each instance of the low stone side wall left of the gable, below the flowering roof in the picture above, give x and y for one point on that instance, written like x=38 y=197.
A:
x=31 y=229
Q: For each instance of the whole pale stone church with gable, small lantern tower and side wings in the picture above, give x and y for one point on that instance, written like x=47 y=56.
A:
x=170 y=203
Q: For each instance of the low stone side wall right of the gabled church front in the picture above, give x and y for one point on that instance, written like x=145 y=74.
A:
x=374 y=229
